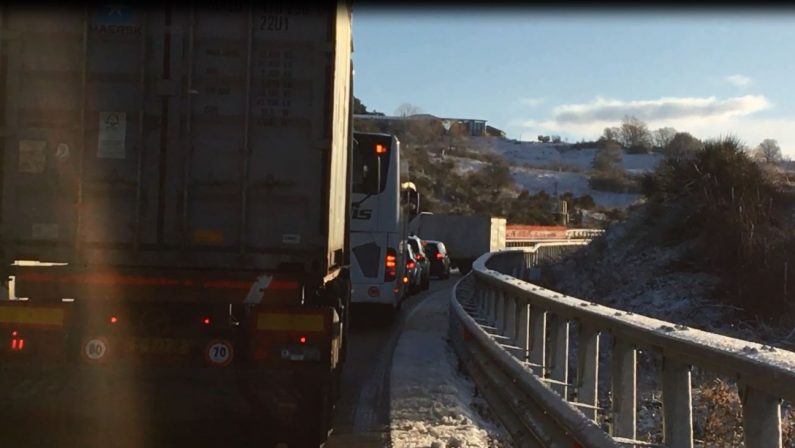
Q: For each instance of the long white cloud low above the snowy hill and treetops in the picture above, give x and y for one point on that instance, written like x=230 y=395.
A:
x=703 y=117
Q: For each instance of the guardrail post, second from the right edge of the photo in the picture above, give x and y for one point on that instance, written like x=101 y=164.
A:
x=677 y=404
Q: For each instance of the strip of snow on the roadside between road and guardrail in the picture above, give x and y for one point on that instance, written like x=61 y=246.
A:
x=432 y=404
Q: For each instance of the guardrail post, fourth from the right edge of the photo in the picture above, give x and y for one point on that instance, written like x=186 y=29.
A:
x=588 y=370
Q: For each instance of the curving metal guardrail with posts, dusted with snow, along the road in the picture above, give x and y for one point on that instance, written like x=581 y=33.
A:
x=514 y=337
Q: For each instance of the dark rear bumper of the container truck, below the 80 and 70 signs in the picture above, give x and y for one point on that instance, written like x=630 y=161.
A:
x=155 y=393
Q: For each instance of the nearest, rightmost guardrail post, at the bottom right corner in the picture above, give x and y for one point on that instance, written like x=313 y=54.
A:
x=761 y=418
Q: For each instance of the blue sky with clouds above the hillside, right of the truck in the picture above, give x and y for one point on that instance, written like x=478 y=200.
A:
x=536 y=71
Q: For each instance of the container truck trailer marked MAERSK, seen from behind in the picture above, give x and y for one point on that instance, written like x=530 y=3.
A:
x=175 y=213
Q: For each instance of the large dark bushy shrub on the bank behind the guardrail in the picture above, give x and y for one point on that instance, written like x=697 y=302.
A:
x=740 y=218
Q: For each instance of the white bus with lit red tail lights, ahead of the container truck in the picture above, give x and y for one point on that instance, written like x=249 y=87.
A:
x=381 y=207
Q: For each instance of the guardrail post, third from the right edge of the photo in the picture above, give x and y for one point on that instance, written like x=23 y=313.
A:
x=624 y=387
